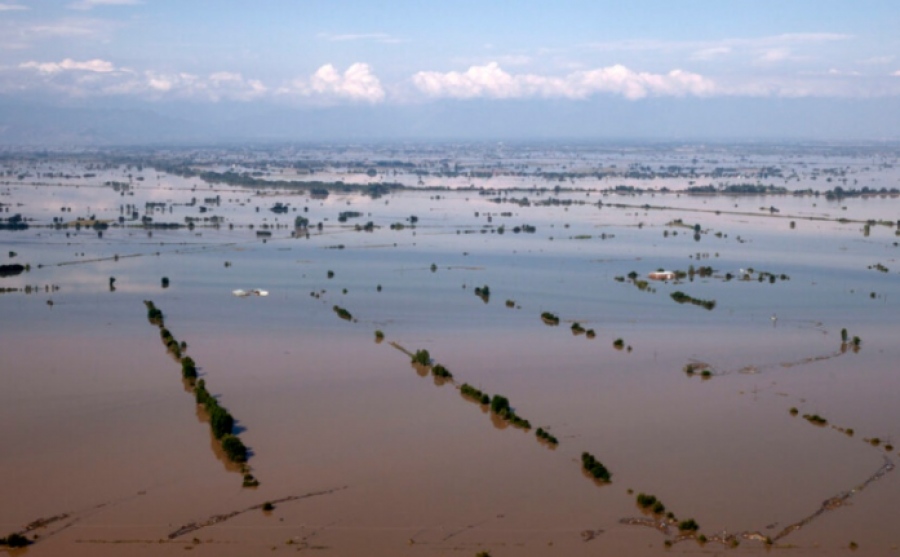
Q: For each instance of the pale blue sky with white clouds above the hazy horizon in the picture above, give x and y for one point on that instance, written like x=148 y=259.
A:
x=805 y=68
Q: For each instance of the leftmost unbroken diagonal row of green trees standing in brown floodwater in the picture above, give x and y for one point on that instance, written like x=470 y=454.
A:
x=221 y=421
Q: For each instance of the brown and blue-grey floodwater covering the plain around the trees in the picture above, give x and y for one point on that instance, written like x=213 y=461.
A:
x=366 y=455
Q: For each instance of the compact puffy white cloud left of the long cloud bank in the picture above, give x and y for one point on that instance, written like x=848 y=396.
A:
x=357 y=83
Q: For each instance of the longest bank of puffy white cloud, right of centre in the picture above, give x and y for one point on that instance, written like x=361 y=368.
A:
x=491 y=81
